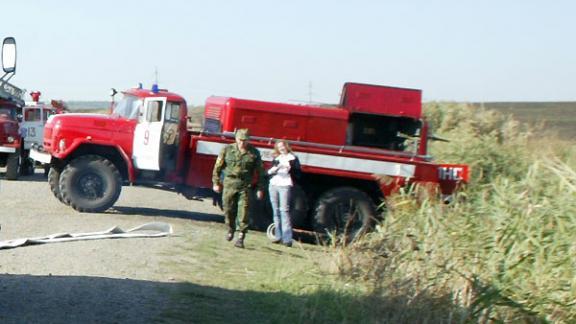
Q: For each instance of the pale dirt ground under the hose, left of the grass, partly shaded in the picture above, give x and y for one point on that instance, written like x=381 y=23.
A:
x=104 y=281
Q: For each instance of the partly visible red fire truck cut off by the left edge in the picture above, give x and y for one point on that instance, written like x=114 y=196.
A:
x=11 y=104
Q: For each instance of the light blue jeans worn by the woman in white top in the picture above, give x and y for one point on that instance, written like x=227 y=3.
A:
x=280 y=200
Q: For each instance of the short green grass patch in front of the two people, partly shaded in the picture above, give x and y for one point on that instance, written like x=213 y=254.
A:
x=263 y=283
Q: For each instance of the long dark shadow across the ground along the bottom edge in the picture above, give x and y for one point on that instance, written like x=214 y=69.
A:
x=80 y=299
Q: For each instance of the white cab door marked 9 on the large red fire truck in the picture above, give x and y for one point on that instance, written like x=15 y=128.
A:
x=147 y=135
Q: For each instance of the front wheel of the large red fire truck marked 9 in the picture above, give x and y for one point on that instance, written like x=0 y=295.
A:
x=90 y=184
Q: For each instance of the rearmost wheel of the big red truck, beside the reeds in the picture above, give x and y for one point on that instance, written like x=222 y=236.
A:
x=343 y=213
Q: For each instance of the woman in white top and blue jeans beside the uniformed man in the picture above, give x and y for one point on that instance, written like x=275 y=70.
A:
x=284 y=172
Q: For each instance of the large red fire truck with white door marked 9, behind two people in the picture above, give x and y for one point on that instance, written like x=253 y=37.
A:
x=353 y=154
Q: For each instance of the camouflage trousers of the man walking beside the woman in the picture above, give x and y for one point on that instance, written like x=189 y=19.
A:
x=236 y=203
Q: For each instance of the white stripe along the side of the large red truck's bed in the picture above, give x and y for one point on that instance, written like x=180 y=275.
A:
x=326 y=161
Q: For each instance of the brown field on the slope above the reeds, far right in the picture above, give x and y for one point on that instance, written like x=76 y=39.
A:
x=557 y=117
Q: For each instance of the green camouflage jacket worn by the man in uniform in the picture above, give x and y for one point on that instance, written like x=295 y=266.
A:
x=239 y=169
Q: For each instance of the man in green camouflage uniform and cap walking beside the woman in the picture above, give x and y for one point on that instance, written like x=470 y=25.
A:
x=240 y=162
